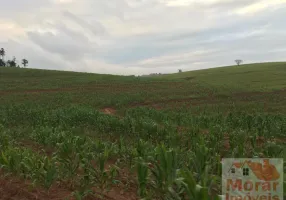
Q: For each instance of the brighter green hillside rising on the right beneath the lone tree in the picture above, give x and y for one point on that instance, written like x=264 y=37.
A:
x=259 y=76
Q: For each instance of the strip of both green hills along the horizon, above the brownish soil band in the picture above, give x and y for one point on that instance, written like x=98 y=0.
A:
x=248 y=77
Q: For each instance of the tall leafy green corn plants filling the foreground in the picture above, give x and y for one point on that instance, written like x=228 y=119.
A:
x=167 y=163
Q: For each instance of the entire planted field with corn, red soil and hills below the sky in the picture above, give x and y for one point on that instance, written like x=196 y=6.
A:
x=67 y=135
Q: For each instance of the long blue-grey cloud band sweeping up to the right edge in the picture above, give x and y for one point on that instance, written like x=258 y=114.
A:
x=256 y=34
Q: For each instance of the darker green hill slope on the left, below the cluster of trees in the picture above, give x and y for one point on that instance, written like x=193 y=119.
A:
x=21 y=78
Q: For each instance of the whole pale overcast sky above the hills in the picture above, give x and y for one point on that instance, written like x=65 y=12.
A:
x=142 y=36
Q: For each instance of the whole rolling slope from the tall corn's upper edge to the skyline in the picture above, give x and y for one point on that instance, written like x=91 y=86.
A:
x=57 y=88
